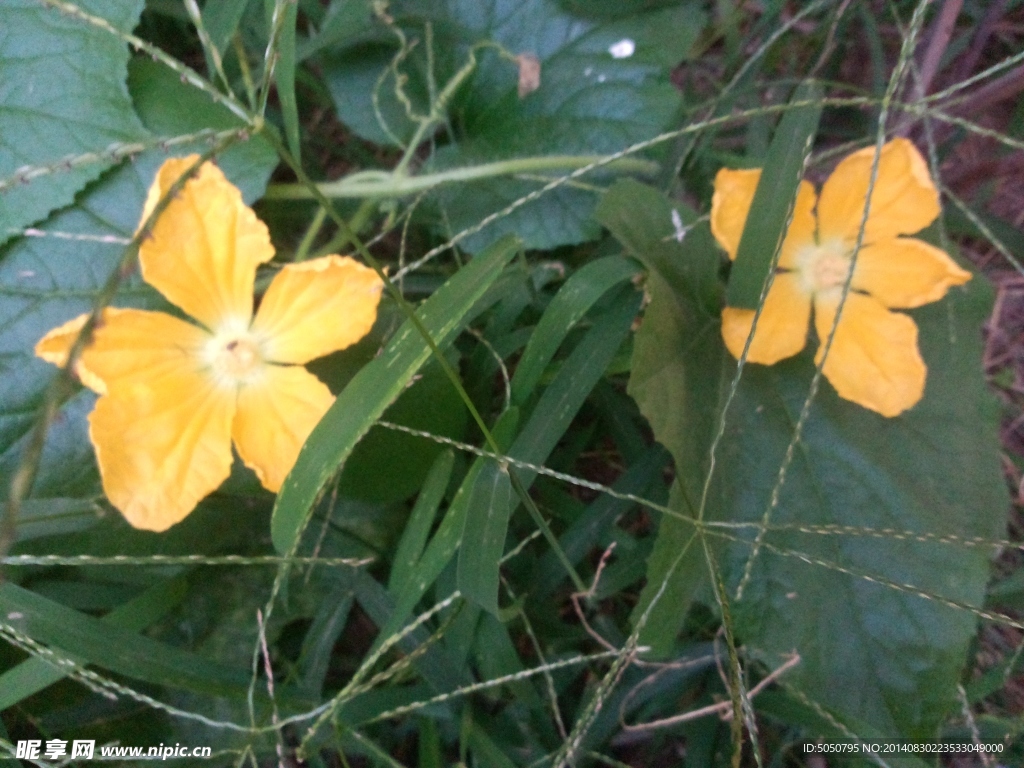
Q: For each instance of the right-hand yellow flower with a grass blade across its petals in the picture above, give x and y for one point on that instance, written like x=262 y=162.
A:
x=874 y=360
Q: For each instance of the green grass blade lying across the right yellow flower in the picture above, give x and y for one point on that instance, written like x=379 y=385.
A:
x=774 y=201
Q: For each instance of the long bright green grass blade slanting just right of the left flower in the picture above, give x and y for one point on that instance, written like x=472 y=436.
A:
x=377 y=387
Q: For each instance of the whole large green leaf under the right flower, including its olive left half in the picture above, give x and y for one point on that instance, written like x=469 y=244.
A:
x=871 y=653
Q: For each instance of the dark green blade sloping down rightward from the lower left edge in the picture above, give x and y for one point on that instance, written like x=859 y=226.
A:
x=115 y=649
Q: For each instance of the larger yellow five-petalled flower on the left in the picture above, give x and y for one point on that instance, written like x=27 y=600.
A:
x=176 y=395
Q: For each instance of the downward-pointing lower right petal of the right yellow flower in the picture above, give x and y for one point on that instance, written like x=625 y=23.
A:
x=874 y=360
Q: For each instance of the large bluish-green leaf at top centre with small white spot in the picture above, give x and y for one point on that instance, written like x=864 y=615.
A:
x=605 y=86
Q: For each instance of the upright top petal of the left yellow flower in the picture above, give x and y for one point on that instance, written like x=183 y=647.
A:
x=205 y=248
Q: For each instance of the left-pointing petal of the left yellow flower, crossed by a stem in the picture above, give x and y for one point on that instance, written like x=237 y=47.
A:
x=127 y=346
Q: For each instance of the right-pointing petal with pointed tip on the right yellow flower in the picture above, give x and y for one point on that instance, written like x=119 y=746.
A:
x=907 y=273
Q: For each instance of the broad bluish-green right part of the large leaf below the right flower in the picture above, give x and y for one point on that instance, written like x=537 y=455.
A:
x=856 y=468
